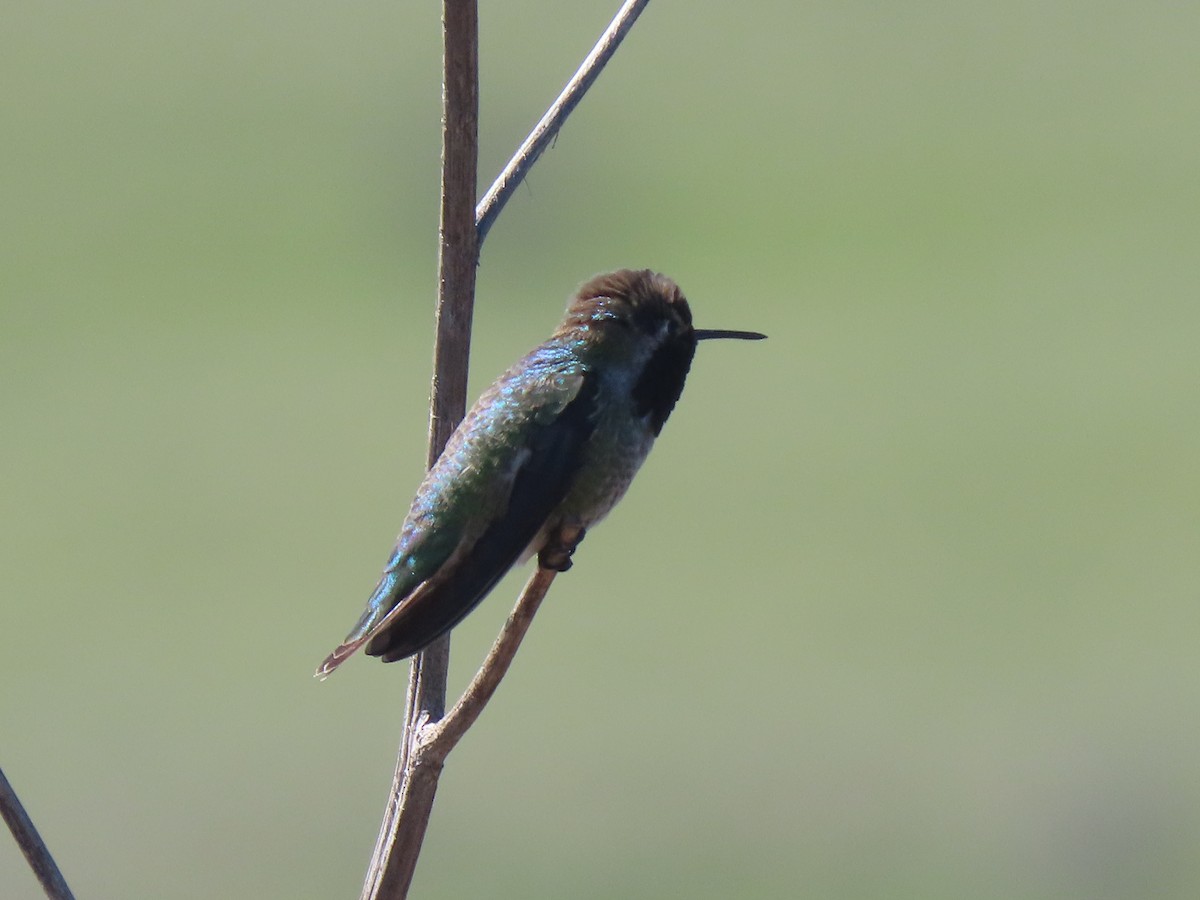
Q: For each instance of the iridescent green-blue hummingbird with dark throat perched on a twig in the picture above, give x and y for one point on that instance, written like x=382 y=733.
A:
x=543 y=457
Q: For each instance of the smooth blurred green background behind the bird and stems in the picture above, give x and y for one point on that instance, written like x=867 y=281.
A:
x=905 y=603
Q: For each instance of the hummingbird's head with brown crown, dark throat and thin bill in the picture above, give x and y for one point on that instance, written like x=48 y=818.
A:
x=638 y=323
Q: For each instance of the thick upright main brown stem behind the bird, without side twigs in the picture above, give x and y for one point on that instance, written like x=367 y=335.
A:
x=415 y=787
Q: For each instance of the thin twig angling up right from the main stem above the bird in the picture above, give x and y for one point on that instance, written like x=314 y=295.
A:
x=508 y=182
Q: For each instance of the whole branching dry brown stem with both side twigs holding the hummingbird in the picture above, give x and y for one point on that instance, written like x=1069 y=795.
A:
x=429 y=737
